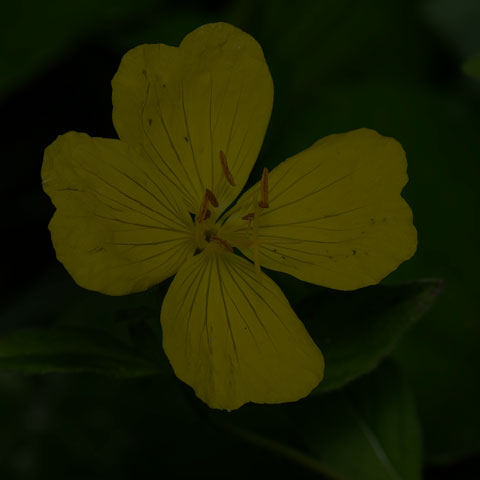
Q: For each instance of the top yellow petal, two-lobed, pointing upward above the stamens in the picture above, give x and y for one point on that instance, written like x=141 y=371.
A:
x=214 y=92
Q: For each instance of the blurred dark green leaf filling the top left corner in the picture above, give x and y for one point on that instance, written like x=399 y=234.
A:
x=33 y=34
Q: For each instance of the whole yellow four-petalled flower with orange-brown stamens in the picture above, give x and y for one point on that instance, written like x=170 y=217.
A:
x=135 y=211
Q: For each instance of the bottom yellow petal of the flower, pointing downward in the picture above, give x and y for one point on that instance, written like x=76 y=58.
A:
x=233 y=336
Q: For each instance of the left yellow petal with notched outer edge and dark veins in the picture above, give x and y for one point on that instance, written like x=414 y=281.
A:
x=117 y=229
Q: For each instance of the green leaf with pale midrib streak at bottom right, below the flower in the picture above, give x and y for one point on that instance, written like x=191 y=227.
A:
x=367 y=431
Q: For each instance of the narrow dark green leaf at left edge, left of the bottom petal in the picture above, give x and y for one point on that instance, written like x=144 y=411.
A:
x=72 y=351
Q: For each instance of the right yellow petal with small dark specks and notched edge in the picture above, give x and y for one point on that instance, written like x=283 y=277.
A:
x=336 y=217
